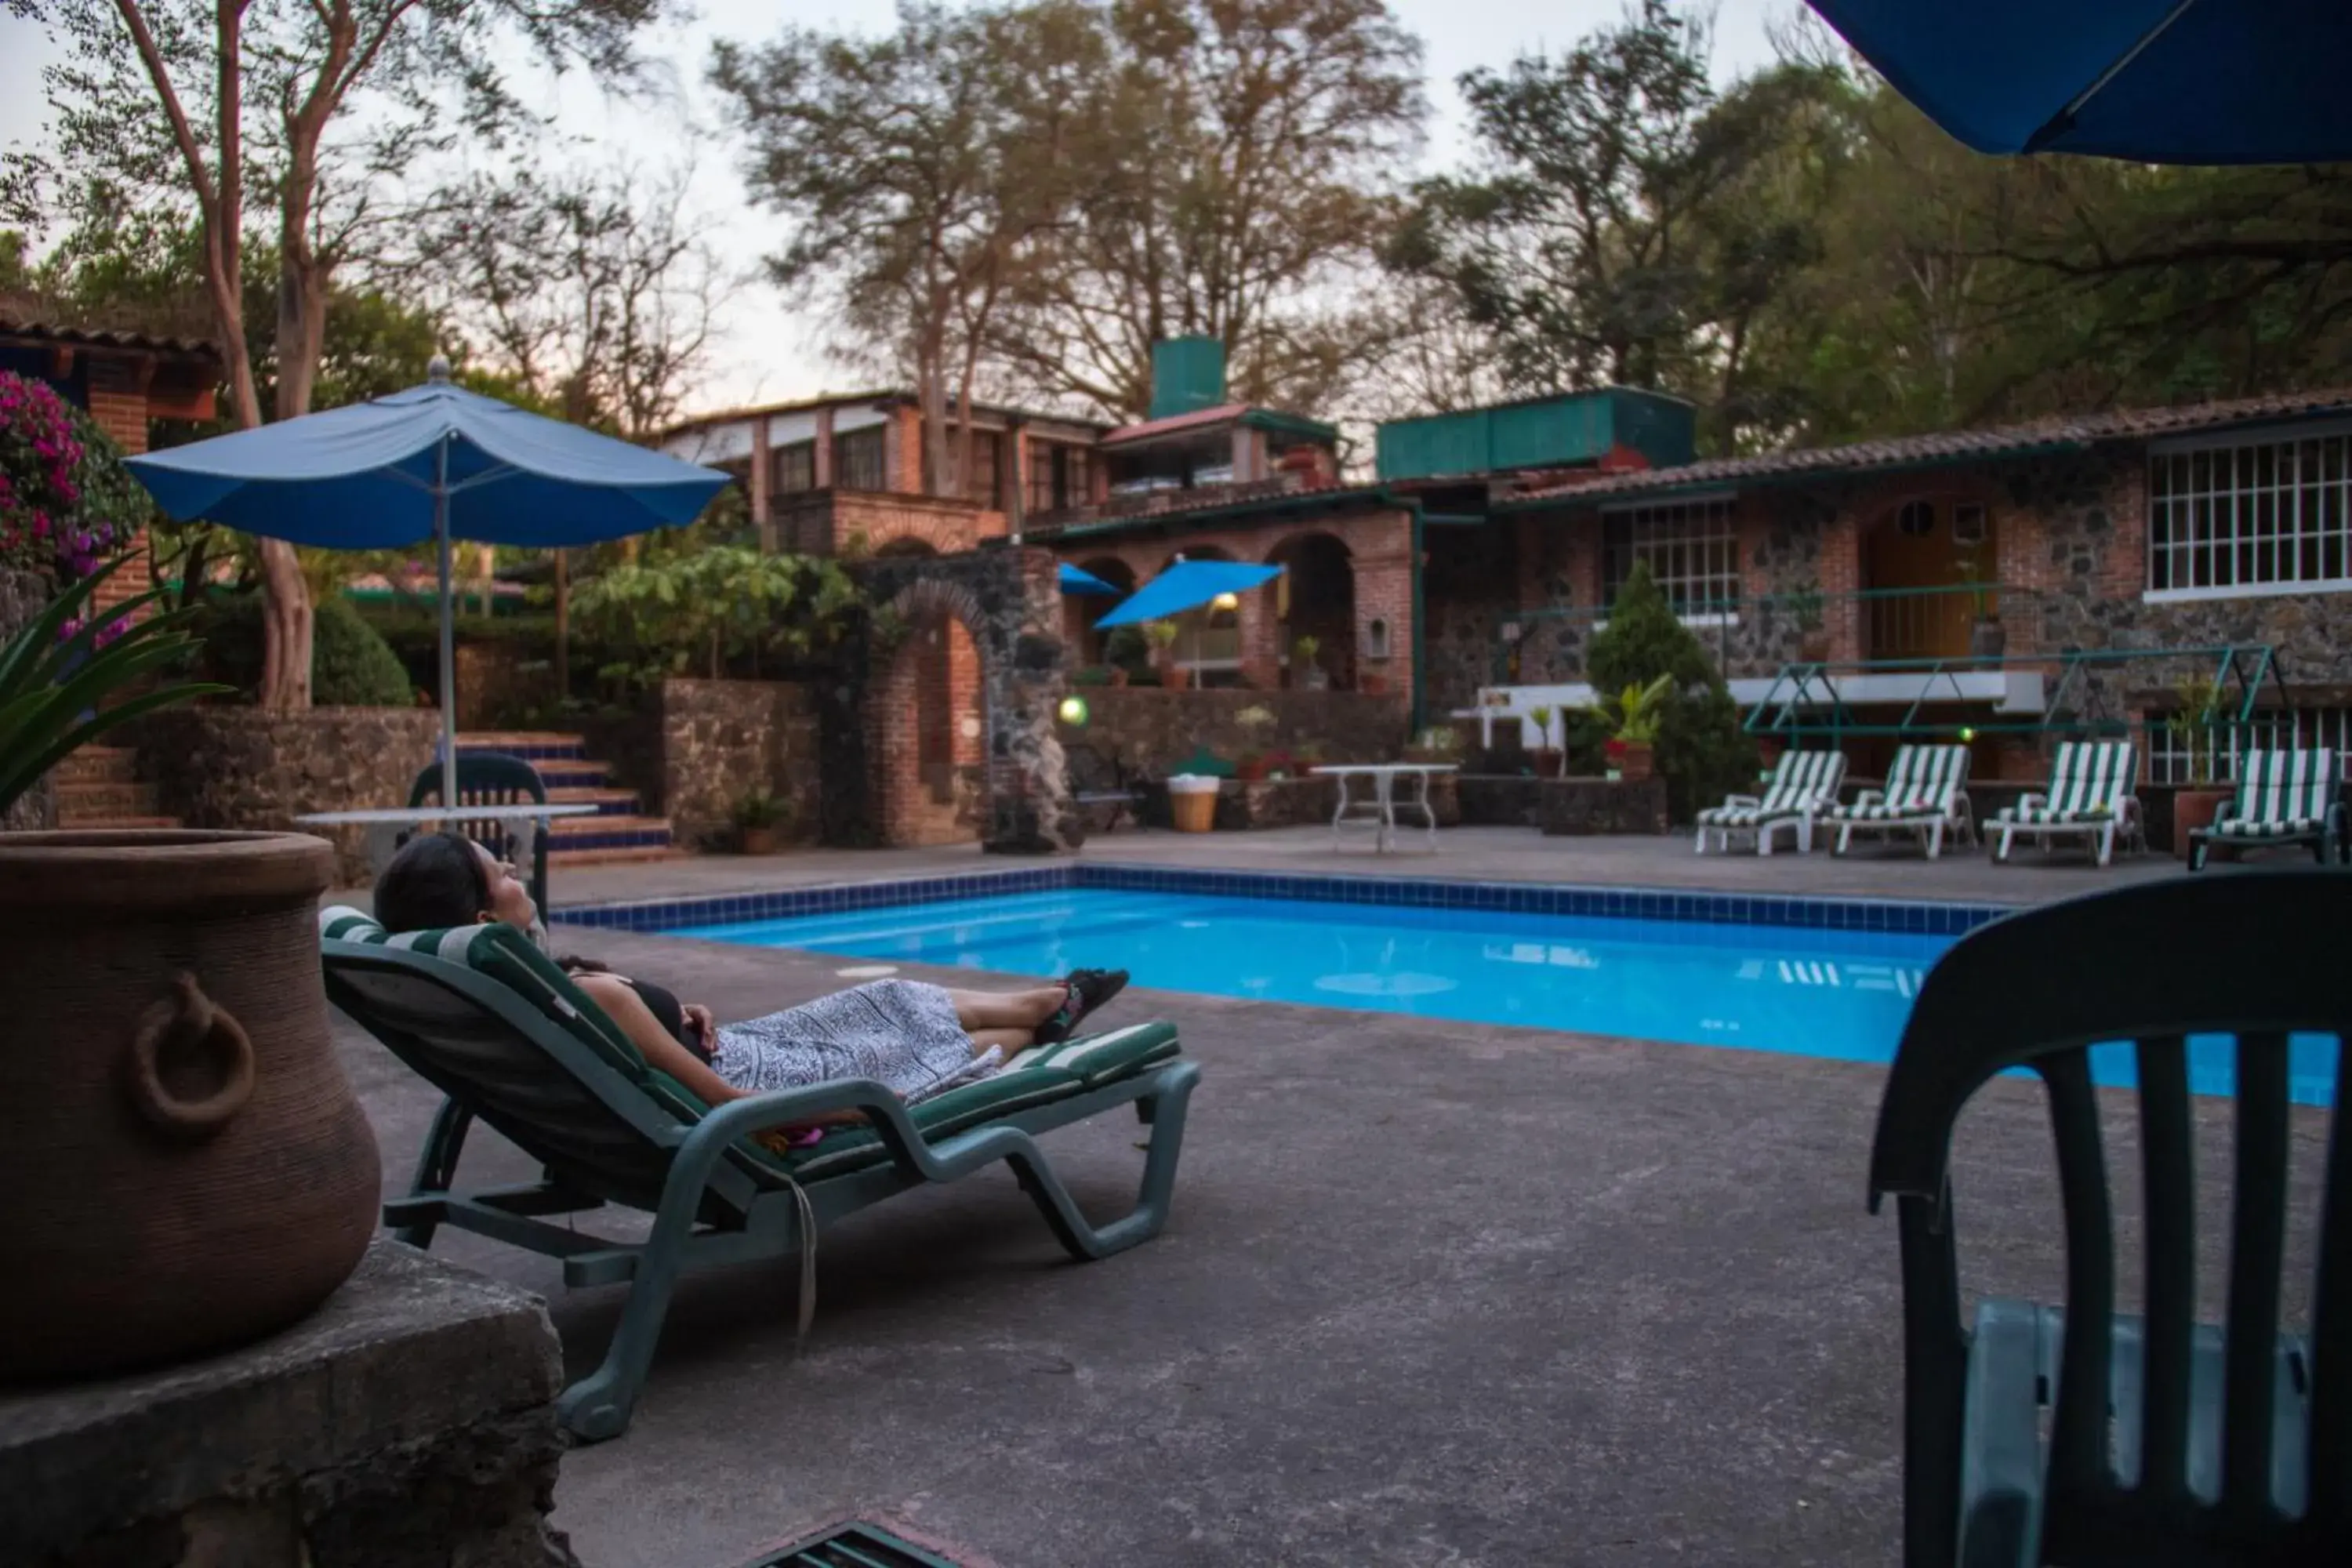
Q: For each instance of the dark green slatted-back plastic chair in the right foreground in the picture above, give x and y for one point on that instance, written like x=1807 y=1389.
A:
x=2076 y=1435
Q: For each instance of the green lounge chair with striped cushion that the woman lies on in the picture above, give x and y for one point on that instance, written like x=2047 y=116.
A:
x=507 y=1038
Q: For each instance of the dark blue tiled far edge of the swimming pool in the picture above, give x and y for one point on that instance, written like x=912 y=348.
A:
x=1819 y=913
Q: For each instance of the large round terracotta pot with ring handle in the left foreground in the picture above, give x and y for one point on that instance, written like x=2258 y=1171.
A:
x=185 y=1160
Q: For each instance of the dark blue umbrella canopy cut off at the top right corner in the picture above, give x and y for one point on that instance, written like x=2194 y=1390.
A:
x=2153 y=81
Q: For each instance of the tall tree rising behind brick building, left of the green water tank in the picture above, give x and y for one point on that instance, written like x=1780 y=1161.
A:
x=918 y=168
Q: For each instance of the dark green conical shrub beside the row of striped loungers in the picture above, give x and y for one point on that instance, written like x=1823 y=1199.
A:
x=1699 y=746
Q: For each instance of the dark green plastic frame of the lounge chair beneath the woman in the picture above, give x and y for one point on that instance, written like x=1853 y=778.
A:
x=716 y=1198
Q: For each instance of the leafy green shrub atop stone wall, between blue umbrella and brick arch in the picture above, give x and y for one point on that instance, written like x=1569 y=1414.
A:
x=730 y=608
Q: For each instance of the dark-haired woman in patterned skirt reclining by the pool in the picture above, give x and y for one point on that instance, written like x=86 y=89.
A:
x=909 y=1036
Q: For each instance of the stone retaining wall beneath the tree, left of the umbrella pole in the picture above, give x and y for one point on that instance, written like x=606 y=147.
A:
x=243 y=768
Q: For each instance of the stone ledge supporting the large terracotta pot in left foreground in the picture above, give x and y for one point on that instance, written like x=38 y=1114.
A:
x=408 y=1423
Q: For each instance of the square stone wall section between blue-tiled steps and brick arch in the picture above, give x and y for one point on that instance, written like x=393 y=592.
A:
x=726 y=739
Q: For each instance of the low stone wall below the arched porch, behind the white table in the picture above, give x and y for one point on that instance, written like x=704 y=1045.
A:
x=1147 y=730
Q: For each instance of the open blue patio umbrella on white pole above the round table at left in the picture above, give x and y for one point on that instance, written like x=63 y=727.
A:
x=434 y=462
